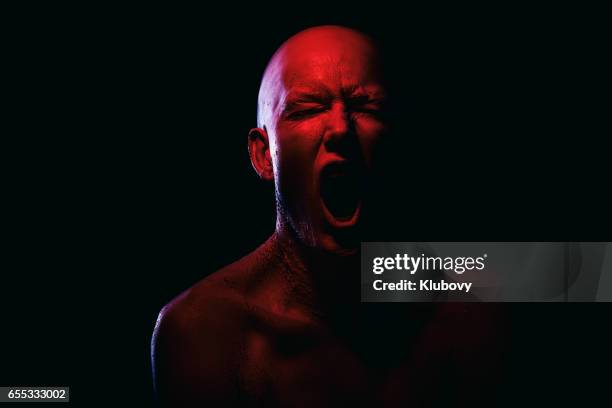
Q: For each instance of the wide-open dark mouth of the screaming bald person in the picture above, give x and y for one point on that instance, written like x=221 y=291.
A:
x=341 y=191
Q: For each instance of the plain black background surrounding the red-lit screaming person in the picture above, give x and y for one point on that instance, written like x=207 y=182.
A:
x=127 y=177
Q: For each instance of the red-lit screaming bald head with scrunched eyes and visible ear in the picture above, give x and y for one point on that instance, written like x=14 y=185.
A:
x=320 y=117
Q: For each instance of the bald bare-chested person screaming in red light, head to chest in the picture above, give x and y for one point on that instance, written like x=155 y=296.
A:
x=284 y=326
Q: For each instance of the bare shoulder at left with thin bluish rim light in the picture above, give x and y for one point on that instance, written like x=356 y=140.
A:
x=198 y=340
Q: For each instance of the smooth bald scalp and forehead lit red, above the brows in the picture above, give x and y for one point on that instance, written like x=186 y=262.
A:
x=307 y=58
